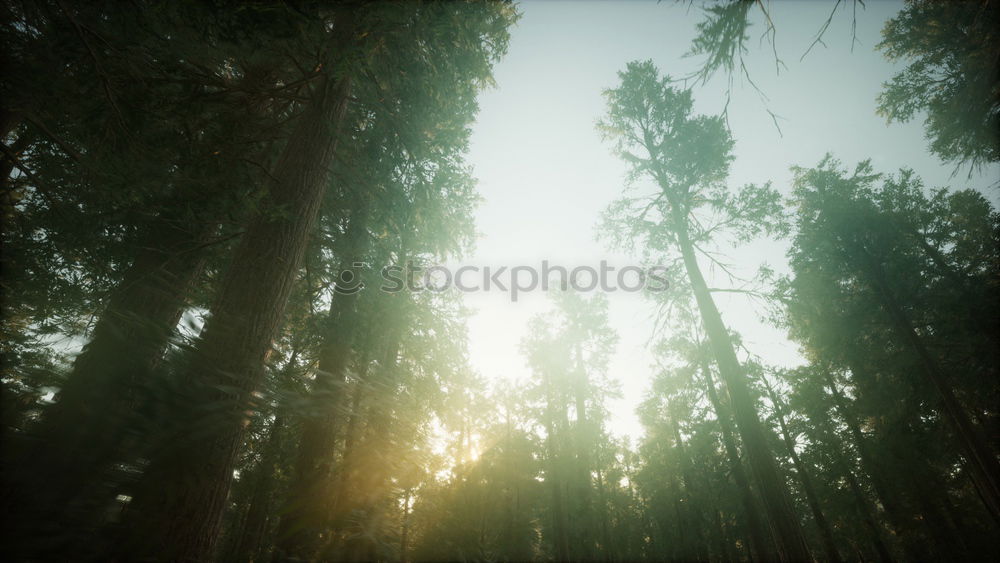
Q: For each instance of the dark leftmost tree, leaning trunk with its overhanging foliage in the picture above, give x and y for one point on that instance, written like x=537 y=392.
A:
x=157 y=178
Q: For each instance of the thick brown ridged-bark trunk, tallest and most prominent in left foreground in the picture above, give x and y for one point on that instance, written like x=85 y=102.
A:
x=178 y=509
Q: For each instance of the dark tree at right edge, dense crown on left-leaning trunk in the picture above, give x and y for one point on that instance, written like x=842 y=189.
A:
x=855 y=222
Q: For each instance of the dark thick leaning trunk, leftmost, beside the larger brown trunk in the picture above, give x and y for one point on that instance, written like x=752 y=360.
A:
x=83 y=433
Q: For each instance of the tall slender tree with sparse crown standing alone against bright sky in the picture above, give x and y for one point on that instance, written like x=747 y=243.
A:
x=688 y=158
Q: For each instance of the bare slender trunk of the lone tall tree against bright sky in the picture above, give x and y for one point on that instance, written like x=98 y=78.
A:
x=785 y=527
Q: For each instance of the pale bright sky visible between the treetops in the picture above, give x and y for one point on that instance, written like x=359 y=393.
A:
x=546 y=176
